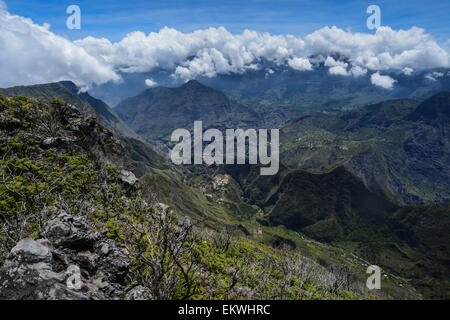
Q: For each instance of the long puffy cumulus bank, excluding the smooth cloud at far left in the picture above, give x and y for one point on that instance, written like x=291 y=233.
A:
x=216 y=51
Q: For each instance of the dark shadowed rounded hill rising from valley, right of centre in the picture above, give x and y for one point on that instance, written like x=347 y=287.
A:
x=328 y=206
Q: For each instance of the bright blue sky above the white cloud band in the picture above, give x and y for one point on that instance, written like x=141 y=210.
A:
x=114 y=19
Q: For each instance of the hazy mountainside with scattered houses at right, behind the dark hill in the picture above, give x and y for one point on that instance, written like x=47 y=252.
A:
x=398 y=147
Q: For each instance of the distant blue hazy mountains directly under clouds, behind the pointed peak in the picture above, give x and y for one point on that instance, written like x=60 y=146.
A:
x=290 y=93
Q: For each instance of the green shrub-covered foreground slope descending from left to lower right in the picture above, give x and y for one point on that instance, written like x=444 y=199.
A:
x=54 y=157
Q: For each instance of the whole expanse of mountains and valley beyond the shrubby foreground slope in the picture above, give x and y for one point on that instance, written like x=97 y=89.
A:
x=357 y=178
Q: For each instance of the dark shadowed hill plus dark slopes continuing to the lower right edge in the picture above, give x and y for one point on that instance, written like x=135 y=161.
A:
x=335 y=207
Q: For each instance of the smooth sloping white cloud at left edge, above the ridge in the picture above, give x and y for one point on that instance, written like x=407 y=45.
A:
x=30 y=54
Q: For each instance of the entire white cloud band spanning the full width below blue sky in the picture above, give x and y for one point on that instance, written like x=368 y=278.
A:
x=31 y=53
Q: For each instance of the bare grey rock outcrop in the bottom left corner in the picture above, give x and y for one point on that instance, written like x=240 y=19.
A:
x=69 y=262
